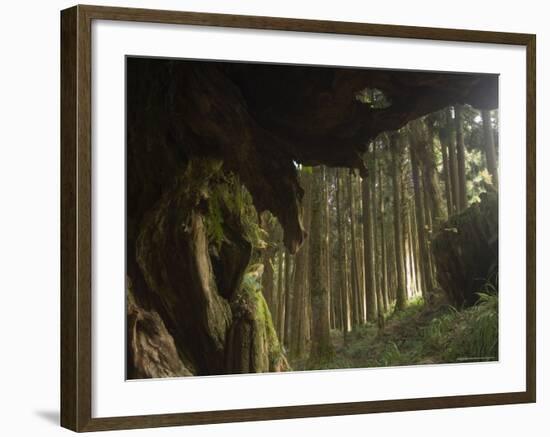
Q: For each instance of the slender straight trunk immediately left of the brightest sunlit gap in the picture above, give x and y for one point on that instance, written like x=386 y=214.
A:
x=400 y=292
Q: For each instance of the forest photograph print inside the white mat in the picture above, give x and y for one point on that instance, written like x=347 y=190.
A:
x=284 y=218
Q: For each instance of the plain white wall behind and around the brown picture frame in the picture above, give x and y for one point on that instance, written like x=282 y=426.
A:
x=29 y=218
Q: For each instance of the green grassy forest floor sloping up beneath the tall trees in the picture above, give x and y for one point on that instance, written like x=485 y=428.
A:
x=420 y=334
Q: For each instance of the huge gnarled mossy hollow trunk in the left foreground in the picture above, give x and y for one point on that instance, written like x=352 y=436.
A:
x=193 y=278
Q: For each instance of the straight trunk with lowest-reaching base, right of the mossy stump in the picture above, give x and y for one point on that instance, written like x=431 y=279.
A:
x=321 y=349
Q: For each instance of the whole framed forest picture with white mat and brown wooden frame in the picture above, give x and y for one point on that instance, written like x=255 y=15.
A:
x=268 y=218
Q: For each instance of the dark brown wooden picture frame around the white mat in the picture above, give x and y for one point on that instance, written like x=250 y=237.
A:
x=76 y=221
